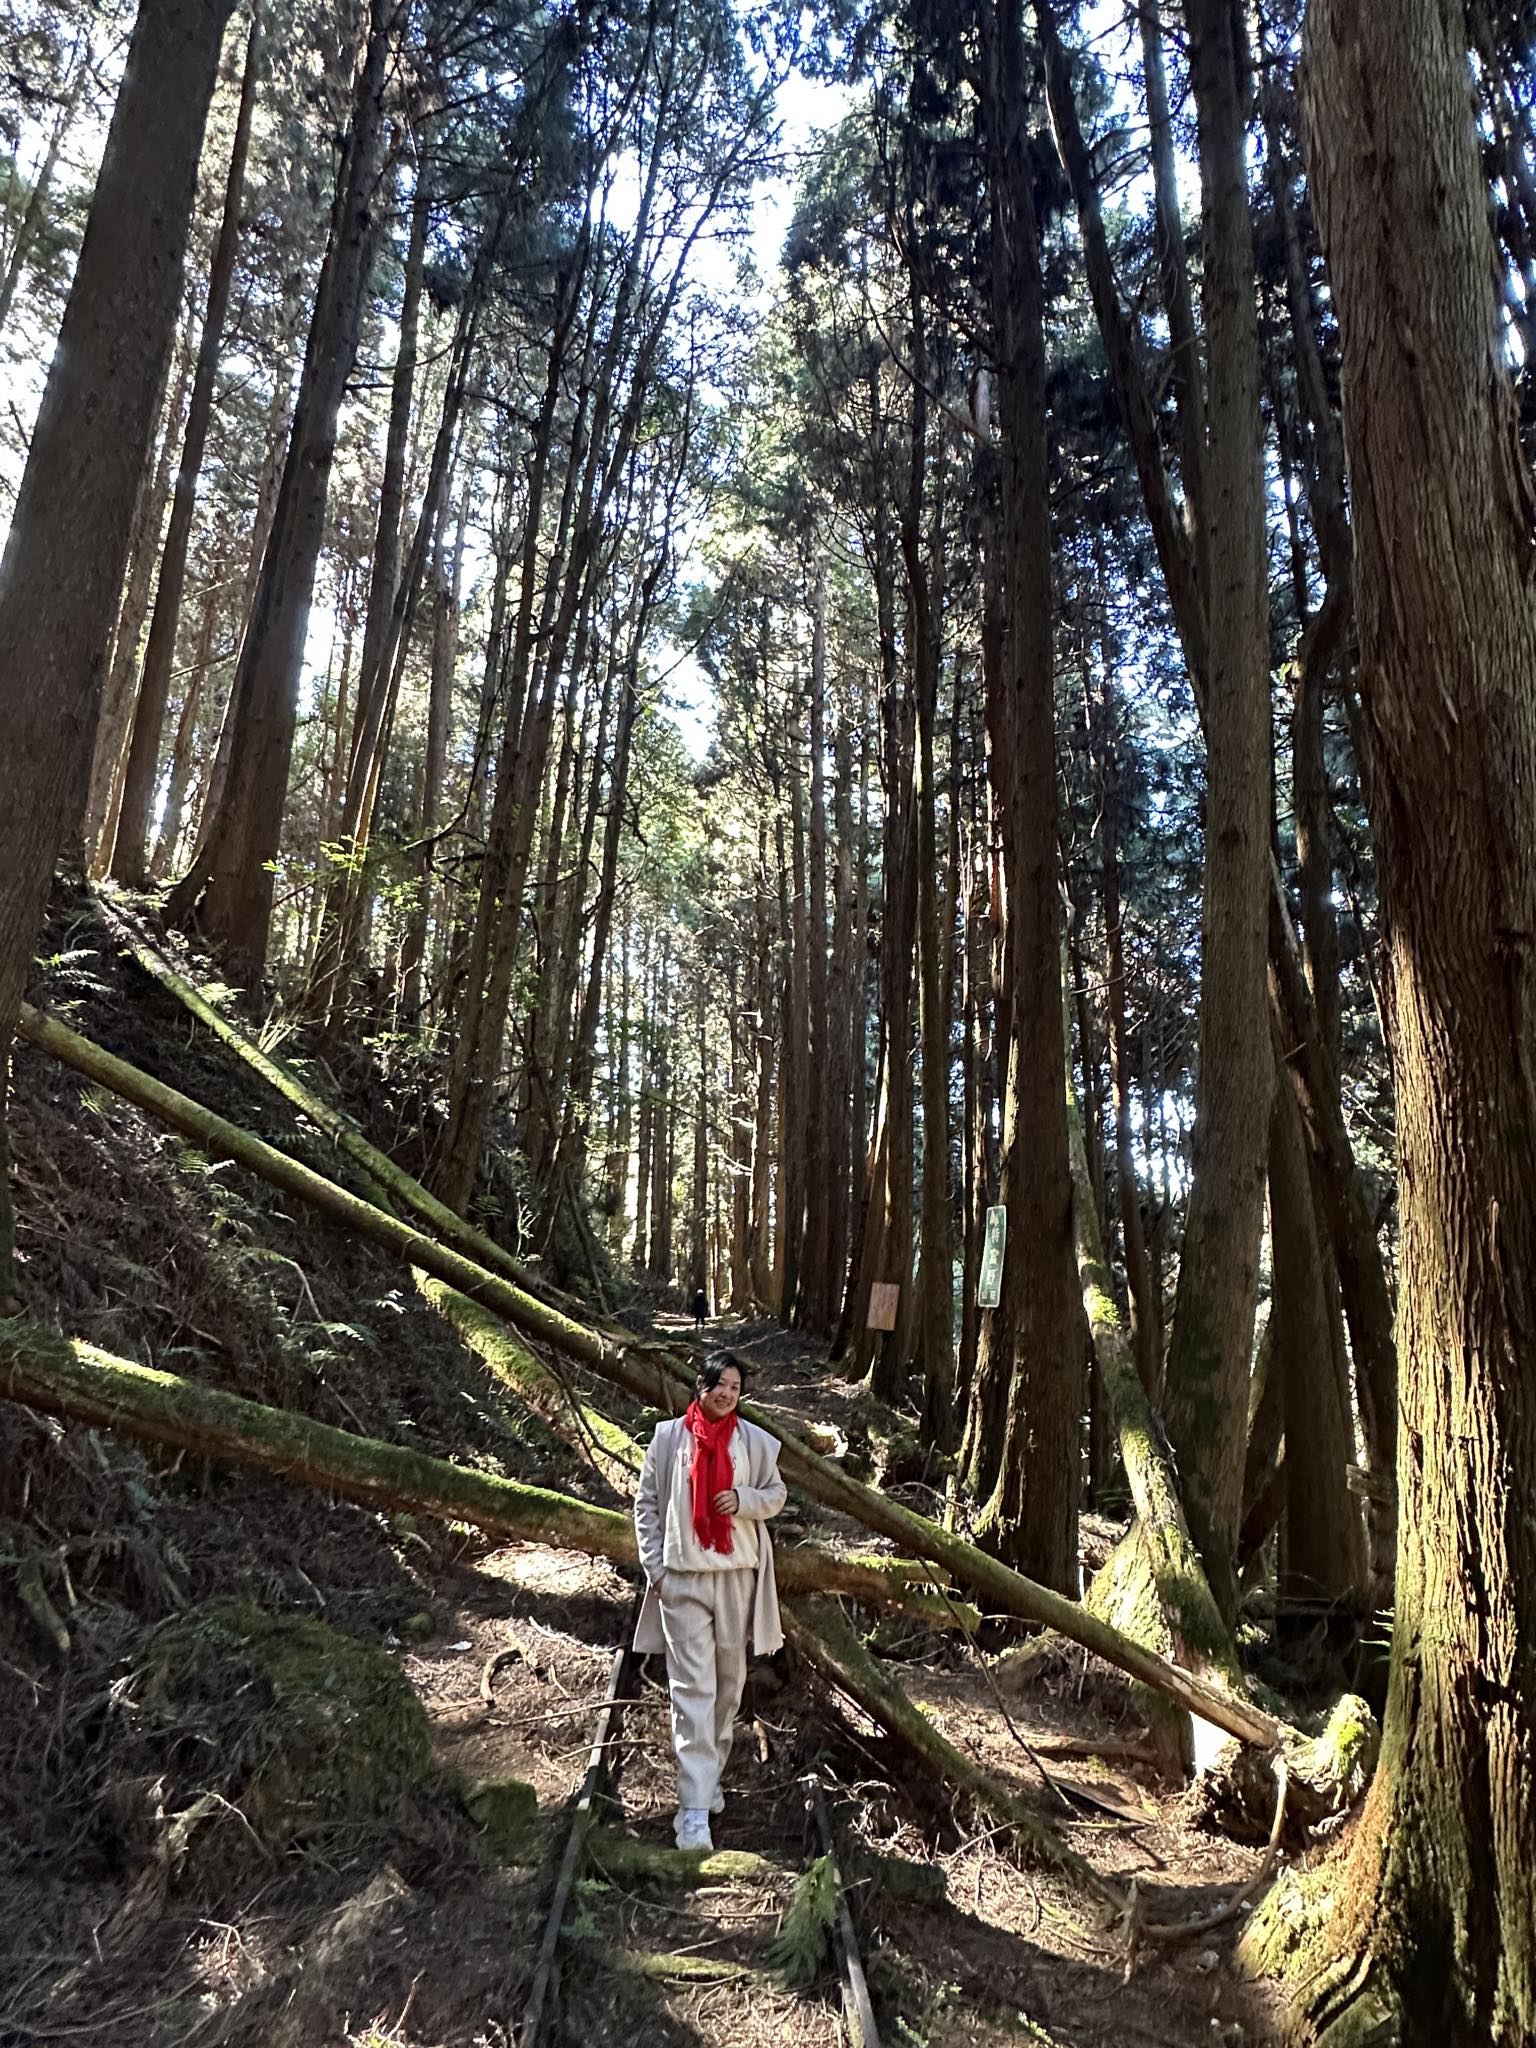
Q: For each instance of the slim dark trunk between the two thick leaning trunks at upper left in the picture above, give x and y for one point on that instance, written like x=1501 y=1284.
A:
x=136 y=812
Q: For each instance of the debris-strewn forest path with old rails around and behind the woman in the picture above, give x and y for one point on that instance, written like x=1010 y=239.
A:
x=959 y=1940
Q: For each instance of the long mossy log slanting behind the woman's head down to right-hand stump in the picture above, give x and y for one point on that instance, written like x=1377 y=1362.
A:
x=650 y=1375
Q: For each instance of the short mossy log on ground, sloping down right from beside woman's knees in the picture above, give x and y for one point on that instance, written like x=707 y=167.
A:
x=824 y=1635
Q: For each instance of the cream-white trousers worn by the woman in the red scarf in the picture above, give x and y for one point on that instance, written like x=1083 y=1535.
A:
x=706 y=1619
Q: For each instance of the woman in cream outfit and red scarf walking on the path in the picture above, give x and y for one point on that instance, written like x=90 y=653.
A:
x=708 y=1482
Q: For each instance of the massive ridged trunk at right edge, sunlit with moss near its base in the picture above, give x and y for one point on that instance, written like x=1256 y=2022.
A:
x=1447 y=654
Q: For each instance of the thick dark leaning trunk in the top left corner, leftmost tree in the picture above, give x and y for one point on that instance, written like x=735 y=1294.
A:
x=69 y=540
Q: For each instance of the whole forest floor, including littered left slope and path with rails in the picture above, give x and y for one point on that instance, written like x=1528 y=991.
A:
x=347 y=1832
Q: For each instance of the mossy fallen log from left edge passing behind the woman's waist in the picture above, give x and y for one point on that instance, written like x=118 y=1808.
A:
x=60 y=1377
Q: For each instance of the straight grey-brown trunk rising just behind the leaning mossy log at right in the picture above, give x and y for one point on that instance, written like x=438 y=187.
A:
x=1220 y=1271
